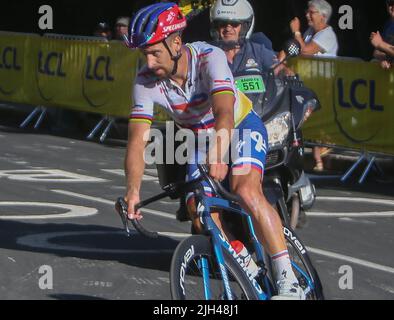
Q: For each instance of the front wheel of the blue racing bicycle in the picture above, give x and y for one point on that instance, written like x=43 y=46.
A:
x=195 y=247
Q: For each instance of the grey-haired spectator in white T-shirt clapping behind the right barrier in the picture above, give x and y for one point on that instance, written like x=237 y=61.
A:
x=320 y=40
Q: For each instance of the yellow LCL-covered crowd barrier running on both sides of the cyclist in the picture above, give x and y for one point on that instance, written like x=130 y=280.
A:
x=357 y=97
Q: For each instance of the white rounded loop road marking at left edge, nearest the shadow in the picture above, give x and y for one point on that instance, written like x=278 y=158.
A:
x=72 y=211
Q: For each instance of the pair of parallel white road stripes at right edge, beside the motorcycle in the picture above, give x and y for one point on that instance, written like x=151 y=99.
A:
x=371 y=214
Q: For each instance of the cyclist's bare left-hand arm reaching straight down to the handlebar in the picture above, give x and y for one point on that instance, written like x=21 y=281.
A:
x=135 y=165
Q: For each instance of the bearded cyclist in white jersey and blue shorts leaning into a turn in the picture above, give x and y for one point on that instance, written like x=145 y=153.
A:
x=194 y=84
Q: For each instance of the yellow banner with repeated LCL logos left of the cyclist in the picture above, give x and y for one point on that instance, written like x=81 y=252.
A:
x=81 y=75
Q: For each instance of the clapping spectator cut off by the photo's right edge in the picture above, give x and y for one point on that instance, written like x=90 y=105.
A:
x=384 y=44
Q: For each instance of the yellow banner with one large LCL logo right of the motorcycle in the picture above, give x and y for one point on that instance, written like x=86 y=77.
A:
x=357 y=101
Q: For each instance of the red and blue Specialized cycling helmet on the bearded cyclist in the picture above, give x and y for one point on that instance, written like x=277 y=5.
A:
x=154 y=23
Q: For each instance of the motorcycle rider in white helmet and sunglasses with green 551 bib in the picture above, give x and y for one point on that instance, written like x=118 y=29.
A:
x=248 y=54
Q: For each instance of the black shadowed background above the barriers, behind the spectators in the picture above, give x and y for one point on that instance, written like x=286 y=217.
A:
x=80 y=17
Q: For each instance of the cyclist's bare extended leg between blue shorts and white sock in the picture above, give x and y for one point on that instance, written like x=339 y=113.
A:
x=266 y=220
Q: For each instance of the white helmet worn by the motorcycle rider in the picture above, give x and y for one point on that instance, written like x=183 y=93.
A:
x=232 y=10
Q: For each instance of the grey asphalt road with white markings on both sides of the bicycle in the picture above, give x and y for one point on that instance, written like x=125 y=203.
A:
x=57 y=219
